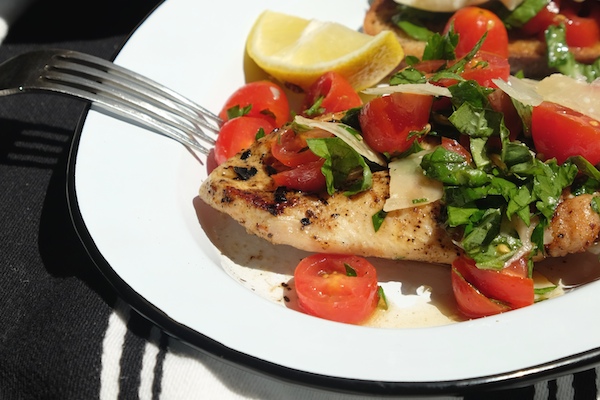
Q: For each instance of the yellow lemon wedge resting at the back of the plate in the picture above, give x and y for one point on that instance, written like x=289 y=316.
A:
x=297 y=51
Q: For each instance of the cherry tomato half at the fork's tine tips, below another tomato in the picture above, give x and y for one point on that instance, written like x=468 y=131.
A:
x=238 y=134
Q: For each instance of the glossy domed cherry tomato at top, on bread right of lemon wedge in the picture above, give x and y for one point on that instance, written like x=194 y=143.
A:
x=471 y=23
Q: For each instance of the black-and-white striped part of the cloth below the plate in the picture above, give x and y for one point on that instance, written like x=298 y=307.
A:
x=161 y=368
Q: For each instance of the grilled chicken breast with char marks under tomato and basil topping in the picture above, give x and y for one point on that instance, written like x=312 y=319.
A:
x=243 y=189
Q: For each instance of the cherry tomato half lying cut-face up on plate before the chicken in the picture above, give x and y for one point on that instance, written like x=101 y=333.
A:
x=326 y=290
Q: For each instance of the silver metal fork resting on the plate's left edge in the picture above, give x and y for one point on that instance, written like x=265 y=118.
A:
x=113 y=90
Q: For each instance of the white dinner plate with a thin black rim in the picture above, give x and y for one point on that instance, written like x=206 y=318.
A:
x=199 y=276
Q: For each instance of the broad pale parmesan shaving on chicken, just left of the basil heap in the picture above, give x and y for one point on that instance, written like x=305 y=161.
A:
x=409 y=187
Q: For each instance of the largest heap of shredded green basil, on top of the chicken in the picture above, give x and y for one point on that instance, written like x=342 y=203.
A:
x=500 y=183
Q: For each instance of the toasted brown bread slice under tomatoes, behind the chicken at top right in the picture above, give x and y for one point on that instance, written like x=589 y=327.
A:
x=525 y=54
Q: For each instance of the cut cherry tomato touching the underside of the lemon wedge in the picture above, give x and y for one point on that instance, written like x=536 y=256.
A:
x=329 y=94
